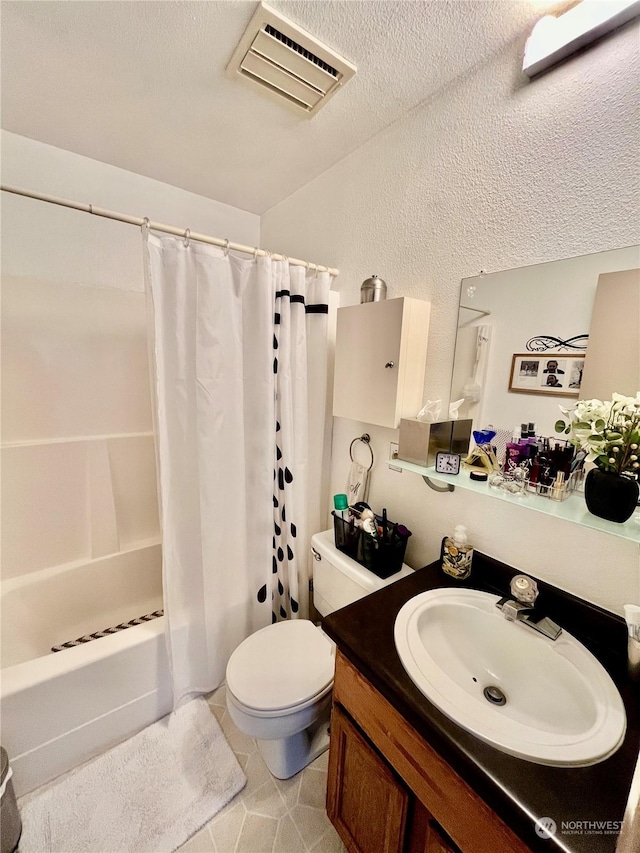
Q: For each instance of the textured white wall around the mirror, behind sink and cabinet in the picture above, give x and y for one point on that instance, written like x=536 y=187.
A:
x=491 y=173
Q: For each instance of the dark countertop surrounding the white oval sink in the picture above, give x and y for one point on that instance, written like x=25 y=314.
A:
x=518 y=791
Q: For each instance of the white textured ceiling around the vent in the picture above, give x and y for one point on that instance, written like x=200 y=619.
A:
x=142 y=85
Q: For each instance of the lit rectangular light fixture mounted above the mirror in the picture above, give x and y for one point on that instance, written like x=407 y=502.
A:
x=555 y=38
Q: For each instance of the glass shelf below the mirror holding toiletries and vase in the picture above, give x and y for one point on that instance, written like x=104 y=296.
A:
x=572 y=509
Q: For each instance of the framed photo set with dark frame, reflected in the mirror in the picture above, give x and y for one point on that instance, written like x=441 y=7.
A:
x=558 y=374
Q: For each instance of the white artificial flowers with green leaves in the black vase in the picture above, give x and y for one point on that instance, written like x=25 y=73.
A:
x=608 y=431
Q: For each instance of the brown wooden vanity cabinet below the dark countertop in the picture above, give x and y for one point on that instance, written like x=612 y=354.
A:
x=390 y=792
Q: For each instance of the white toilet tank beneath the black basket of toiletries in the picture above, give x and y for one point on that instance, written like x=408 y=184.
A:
x=337 y=579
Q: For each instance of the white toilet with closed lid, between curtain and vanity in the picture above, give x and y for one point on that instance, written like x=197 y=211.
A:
x=279 y=679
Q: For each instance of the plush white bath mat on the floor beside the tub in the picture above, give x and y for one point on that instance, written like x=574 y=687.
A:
x=146 y=795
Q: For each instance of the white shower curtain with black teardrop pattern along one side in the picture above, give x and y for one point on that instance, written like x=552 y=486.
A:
x=238 y=355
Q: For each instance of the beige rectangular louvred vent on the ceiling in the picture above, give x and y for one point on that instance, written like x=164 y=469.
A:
x=288 y=62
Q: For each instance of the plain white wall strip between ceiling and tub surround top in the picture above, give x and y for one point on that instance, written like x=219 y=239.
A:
x=74 y=246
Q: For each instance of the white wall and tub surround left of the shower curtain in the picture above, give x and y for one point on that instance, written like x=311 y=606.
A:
x=79 y=477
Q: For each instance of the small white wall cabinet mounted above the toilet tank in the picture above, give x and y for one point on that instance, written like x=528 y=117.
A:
x=381 y=350
